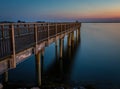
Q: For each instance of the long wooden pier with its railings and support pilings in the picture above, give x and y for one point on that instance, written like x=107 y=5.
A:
x=19 y=41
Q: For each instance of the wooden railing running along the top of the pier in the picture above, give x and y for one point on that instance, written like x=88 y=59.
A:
x=44 y=30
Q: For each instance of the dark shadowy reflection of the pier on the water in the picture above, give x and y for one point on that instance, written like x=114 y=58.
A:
x=59 y=72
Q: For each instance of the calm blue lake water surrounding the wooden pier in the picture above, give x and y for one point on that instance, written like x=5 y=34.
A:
x=92 y=63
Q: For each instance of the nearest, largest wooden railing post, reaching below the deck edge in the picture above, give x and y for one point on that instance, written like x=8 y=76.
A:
x=12 y=36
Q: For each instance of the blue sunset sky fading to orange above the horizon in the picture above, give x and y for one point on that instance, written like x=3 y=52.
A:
x=58 y=10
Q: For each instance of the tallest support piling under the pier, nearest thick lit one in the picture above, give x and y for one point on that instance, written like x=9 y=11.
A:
x=38 y=68
